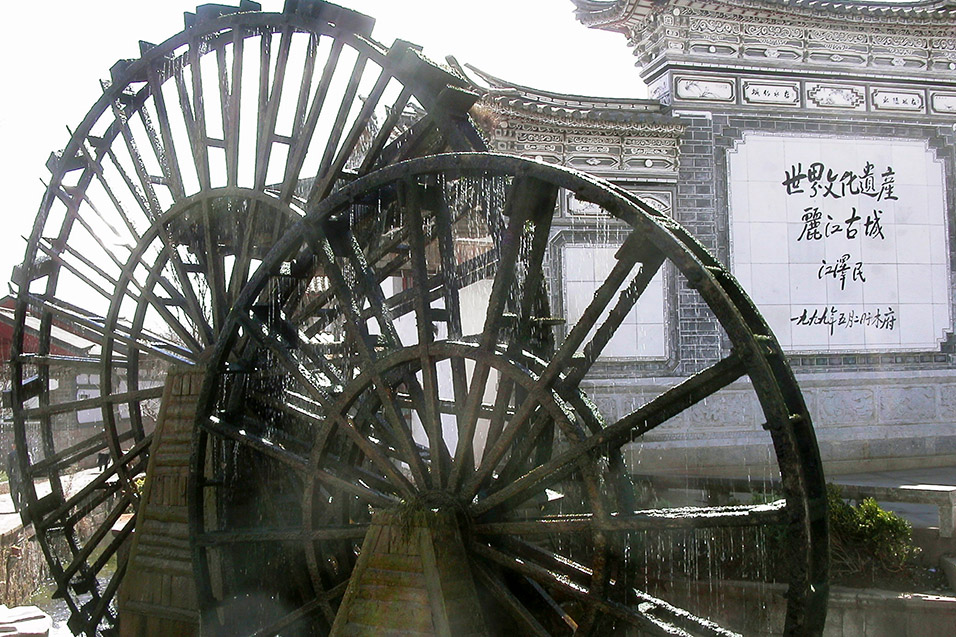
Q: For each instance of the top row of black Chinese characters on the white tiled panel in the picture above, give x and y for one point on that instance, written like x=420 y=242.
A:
x=820 y=180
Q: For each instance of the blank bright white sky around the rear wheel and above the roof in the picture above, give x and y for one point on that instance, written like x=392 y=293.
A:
x=55 y=52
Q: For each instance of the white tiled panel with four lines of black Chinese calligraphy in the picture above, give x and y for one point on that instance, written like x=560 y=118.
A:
x=842 y=243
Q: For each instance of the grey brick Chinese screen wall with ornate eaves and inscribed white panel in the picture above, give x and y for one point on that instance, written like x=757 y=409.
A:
x=811 y=146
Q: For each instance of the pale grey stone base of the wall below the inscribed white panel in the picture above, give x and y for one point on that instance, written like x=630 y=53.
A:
x=872 y=421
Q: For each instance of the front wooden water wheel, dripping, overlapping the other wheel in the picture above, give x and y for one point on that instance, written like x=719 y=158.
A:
x=394 y=431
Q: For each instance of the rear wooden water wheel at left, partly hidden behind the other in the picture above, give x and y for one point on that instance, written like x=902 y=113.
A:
x=198 y=157
